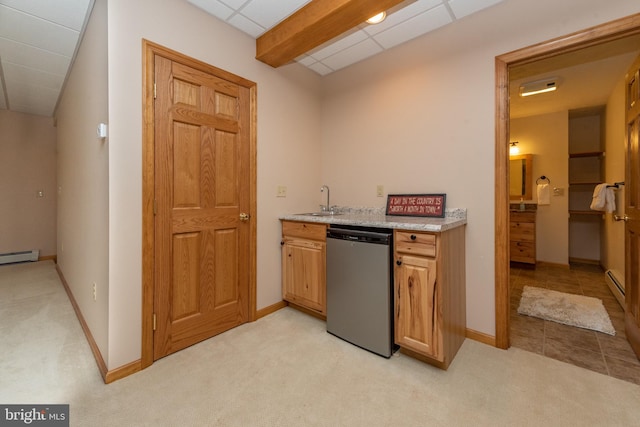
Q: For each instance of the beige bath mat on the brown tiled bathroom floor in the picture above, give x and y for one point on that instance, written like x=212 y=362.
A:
x=568 y=309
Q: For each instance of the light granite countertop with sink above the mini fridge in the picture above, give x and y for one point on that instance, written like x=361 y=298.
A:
x=375 y=217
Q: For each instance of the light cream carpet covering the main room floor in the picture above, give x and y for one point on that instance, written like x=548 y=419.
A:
x=286 y=370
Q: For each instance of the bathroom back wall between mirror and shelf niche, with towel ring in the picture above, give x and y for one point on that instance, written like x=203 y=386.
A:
x=546 y=137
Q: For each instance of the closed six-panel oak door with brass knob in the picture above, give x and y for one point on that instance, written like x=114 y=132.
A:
x=202 y=199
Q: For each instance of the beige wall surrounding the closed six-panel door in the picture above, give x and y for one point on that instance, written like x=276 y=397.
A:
x=288 y=145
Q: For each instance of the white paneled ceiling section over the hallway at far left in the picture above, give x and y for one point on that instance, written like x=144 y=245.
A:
x=38 y=40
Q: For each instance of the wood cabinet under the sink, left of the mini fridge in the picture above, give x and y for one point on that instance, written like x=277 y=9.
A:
x=304 y=265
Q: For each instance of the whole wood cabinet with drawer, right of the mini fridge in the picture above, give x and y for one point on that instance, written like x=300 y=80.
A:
x=429 y=294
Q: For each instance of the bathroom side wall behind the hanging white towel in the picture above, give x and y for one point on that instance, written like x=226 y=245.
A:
x=613 y=253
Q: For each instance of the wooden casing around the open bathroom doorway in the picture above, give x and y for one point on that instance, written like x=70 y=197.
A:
x=607 y=32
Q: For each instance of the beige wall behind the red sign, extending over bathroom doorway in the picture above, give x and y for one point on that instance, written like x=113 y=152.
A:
x=420 y=118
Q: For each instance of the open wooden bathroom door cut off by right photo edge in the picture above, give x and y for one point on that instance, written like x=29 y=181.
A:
x=632 y=208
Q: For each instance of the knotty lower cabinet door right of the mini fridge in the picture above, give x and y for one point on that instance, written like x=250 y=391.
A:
x=417 y=306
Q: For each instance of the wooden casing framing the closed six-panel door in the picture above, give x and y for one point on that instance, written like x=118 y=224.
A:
x=150 y=50
